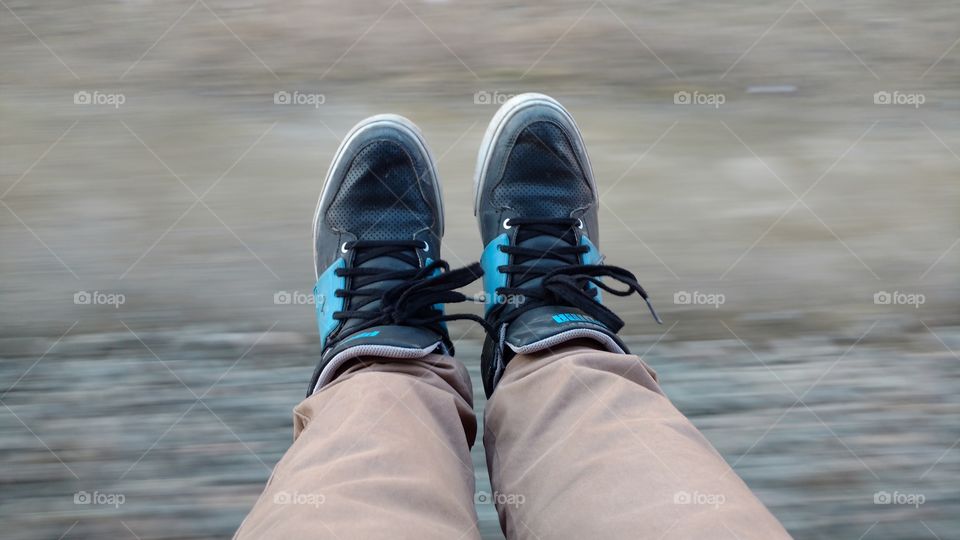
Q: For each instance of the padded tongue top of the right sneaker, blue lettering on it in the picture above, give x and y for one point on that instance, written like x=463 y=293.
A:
x=549 y=326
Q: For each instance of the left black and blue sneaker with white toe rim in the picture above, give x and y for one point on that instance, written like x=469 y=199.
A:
x=377 y=229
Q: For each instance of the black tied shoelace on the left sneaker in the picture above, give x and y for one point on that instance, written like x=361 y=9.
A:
x=413 y=301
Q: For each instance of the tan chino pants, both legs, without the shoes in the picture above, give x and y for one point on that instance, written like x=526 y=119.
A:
x=580 y=444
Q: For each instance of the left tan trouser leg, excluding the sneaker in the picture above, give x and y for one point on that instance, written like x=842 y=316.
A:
x=382 y=452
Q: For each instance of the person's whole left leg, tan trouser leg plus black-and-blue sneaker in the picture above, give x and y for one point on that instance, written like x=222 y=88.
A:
x=382 y=443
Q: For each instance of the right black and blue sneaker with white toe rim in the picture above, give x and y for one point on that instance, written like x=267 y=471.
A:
x=536 y=202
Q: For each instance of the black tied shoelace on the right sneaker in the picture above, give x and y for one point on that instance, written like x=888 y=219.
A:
x=570 y=284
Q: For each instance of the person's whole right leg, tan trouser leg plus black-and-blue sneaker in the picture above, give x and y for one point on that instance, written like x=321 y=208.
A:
x=580 y=440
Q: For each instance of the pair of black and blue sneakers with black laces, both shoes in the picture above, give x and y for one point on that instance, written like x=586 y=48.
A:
x=381 y=283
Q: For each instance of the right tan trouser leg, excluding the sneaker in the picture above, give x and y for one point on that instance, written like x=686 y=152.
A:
x=583 y=443
